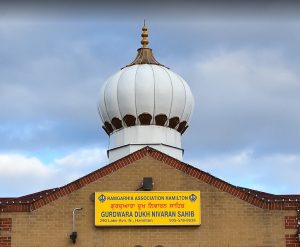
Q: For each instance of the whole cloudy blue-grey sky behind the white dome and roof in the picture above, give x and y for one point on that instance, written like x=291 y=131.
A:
x=241 y=61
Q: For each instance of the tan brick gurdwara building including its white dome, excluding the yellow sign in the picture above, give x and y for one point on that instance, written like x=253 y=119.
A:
x=230 y=215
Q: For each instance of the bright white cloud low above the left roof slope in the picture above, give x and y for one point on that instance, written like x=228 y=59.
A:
x=21 y=174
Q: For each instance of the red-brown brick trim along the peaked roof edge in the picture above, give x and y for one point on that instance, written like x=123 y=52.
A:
x=260 y=199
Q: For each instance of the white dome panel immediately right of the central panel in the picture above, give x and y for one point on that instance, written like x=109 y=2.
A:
x=163 y=91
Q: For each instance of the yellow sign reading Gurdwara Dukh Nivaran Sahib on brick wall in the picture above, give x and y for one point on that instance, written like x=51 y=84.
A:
x=147 y=208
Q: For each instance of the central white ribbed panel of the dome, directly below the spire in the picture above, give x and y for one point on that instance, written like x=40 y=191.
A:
x=144 y=89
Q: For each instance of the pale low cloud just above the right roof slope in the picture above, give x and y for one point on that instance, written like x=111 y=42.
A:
x=275 y=173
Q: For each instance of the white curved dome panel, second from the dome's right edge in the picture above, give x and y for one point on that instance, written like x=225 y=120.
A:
x=178 y=101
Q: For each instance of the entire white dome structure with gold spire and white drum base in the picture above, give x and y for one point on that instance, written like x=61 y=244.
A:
x=145 y=104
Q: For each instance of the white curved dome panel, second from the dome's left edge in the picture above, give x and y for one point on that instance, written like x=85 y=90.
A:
x=110 y=97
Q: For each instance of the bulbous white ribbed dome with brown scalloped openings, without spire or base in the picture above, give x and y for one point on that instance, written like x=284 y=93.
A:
x=145 y=94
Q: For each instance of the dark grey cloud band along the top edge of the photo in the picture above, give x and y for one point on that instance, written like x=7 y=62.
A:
x=163 y=9
